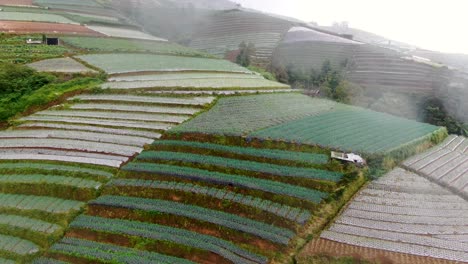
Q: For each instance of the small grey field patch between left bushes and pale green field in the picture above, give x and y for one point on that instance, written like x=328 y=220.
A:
x=66 y=65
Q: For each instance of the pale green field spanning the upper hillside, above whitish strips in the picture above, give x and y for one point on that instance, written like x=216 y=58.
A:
x=126 y=63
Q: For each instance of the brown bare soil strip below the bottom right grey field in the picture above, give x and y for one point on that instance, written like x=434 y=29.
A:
x=321 y=246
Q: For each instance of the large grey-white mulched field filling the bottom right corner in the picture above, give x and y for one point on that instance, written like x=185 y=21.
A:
x=403 y=212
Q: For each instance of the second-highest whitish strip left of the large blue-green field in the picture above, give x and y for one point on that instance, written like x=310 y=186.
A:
x=135 y=108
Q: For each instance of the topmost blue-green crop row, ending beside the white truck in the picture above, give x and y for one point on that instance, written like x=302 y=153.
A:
x=304 y=157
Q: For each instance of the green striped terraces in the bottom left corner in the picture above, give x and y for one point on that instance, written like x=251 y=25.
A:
x=38 y=200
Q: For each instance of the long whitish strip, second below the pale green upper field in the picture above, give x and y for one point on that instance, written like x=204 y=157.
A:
x=221 y=83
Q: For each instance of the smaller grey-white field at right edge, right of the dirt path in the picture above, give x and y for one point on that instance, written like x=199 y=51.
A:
x=446 y=164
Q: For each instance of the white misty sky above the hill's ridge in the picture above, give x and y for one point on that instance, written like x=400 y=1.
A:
x=431 y=24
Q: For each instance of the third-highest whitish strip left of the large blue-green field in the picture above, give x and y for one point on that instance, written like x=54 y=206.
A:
x=115 y=115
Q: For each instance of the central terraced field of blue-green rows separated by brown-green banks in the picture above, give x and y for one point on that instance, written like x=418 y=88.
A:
x=223 y=210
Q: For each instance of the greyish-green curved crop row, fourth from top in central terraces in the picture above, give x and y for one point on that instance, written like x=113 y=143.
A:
x=291 y=213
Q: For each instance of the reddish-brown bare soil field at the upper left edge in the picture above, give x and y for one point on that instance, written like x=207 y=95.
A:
x=22 y=27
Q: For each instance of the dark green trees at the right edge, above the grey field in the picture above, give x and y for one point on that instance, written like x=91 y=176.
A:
x=435 y=113
